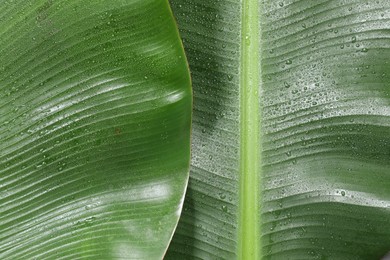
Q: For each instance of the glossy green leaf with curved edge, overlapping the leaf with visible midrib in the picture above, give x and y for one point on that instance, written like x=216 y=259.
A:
x=95 y=113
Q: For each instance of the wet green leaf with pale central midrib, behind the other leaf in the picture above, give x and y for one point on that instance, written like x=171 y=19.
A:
x=291 y=130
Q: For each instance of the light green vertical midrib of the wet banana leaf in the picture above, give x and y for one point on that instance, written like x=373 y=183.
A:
x=249 y=217
